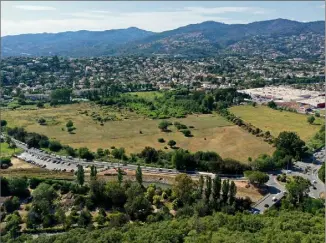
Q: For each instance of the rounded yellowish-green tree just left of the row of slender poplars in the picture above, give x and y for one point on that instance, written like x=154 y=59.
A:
x=183 y=188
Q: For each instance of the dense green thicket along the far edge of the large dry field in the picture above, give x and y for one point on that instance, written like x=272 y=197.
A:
x=176 y=103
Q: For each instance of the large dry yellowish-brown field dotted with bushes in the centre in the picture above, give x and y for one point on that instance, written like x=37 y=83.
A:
x=134 y=132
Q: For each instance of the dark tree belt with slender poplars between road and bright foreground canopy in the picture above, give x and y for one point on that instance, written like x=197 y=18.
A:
x=131 y=200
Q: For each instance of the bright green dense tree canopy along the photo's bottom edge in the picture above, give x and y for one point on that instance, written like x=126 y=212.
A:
x=275 y=226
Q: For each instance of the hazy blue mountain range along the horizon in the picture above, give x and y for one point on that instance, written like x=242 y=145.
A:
x=207 y=38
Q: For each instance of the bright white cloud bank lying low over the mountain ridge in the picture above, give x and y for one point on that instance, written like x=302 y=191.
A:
x=156 y=21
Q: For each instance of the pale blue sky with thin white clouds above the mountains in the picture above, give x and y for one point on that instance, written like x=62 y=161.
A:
x=21 y=17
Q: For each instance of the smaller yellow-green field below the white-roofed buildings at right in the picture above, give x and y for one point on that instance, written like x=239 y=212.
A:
x=276 y=121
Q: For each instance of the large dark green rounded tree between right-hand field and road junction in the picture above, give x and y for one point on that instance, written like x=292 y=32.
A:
x=291 y=144
